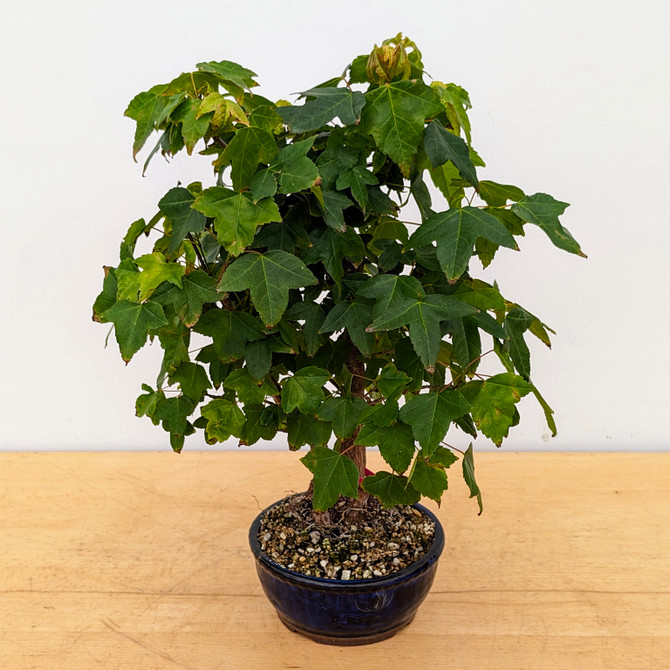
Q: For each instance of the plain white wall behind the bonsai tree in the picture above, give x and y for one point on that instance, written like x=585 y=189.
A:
x=569 y=97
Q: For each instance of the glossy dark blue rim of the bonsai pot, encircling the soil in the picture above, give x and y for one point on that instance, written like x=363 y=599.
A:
x=431 y=554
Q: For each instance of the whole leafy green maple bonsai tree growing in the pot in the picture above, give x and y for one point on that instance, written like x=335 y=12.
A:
x=290 y=294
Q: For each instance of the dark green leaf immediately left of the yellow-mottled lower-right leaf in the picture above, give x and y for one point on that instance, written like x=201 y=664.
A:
x=430 y=414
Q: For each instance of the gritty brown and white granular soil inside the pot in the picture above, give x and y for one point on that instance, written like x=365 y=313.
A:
x=382 y=541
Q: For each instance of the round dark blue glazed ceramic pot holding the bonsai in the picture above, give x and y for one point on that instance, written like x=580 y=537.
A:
x=335 y=611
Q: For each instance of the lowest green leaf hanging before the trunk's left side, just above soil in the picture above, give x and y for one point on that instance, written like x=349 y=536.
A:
x=334 y=476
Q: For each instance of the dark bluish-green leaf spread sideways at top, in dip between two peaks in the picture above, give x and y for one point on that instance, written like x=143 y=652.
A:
x=323 y=106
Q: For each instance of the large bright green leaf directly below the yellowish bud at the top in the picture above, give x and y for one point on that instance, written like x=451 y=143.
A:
x=394 y=115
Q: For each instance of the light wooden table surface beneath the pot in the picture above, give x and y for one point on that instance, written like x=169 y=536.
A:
x=140 y=561
